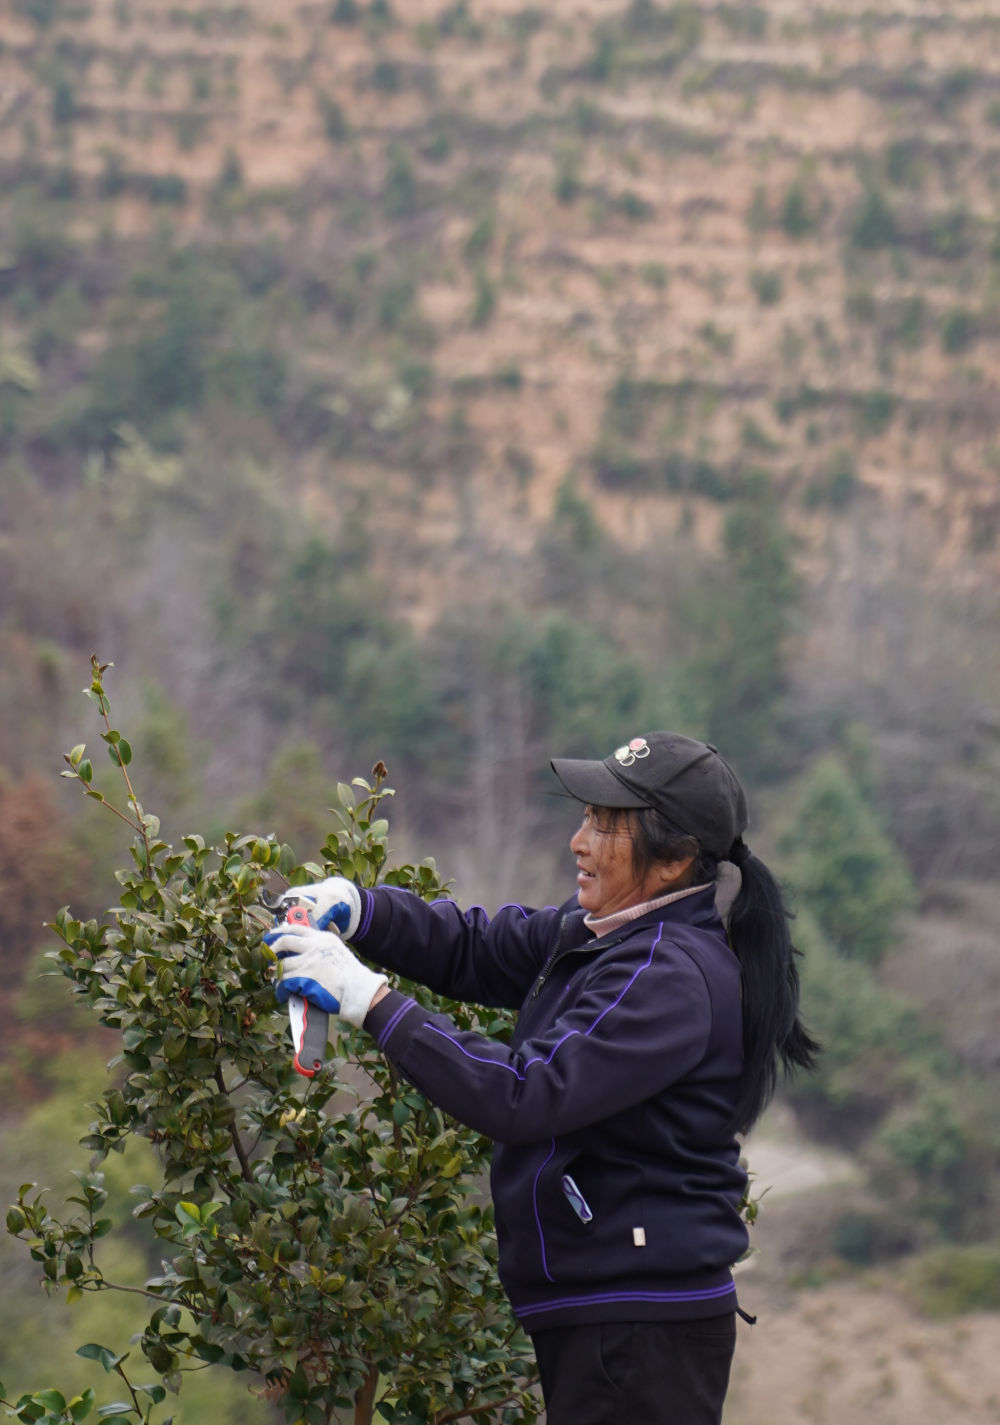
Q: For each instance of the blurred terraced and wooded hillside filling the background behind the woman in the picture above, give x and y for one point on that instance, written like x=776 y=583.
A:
x=469 y=384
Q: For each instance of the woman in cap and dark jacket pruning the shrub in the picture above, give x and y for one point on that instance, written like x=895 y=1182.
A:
x=647 y=1040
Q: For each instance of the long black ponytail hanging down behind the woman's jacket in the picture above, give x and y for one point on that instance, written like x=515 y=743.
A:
x=773 y=1031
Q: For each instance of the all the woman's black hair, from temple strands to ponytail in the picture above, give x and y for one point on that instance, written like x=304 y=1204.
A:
x=774 y=1035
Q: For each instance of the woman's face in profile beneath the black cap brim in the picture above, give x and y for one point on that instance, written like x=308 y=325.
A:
x=606 y=874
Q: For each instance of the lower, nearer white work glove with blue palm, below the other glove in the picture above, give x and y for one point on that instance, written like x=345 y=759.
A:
x=320 y=967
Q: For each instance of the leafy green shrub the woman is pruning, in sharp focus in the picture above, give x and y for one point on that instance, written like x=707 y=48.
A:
x=280 y=1215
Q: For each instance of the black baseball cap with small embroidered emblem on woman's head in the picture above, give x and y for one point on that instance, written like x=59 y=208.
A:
x=687 y=782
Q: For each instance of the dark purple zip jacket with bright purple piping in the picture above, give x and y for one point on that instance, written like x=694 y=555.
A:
x=616 y=1175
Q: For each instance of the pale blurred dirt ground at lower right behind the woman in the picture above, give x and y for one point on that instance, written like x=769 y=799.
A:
x=850 y=1352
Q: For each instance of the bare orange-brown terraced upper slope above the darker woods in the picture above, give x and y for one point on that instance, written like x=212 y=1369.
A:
x=652 y=246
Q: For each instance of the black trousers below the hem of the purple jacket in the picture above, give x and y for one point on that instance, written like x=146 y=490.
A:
x=637 y=1373
